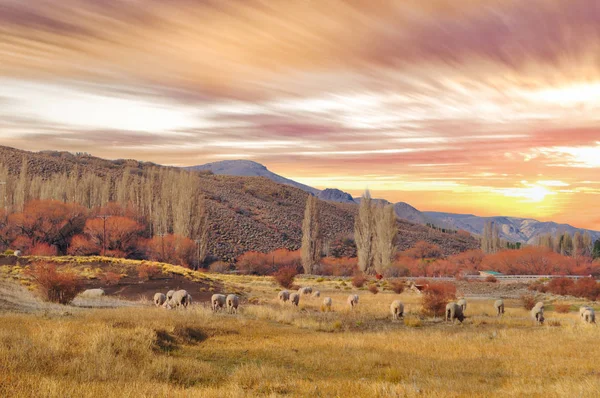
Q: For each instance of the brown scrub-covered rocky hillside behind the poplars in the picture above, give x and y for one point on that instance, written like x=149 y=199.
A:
x=246 y=213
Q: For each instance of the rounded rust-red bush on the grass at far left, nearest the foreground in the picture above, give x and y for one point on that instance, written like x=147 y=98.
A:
x=53 y=285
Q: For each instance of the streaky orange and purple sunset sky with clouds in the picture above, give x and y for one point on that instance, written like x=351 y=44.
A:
x=489 y=107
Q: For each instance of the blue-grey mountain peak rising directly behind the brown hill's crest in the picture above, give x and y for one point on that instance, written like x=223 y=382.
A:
x=248 y=168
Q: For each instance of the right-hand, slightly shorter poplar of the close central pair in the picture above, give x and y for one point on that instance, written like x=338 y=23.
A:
x=386 y=231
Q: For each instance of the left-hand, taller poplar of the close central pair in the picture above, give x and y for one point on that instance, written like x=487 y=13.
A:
x=364 y=231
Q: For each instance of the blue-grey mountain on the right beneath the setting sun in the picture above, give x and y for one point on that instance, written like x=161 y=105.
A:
x=525 y=230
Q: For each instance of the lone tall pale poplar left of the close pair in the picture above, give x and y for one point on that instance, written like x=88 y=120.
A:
x=311 y=236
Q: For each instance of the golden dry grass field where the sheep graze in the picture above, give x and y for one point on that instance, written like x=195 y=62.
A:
x=274 y=350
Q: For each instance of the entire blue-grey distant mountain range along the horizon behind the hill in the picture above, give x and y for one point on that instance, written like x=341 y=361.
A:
x=524 y=230
